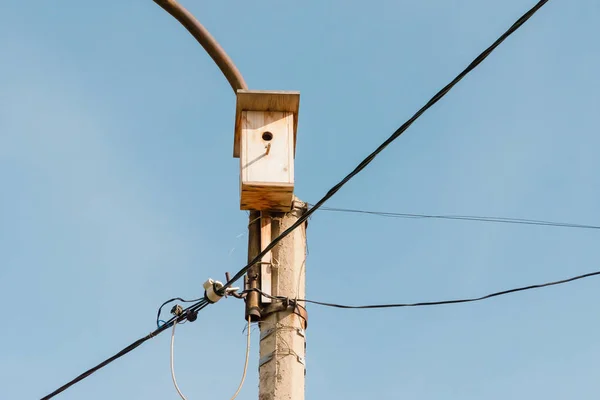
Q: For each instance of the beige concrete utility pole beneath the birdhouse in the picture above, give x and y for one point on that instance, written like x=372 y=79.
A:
x=283 y=325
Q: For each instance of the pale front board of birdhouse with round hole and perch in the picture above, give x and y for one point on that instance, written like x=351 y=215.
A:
x=267 y=148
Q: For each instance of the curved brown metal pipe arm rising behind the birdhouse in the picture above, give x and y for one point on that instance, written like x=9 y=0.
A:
x=208 y=42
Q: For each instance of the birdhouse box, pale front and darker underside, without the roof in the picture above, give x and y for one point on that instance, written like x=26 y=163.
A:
x=267 y=160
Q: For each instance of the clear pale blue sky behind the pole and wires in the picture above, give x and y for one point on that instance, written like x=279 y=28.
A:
x=119 y=191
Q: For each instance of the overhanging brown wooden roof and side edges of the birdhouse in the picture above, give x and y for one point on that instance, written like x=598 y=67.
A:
x=264 y=100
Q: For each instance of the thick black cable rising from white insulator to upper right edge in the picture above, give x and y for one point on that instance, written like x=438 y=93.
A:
x=387 y=142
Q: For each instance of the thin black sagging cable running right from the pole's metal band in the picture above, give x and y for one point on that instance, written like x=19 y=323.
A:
x=433 y=303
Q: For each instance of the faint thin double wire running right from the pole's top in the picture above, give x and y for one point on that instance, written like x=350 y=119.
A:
x=464 y=218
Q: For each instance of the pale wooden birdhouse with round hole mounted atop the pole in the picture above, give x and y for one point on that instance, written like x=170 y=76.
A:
x=265 y=142
